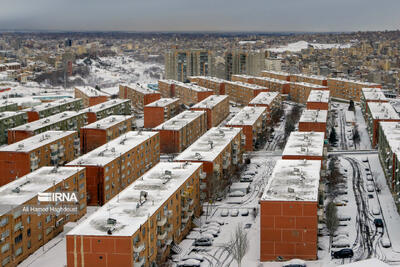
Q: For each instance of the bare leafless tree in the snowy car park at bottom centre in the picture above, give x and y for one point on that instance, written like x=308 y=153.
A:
x=238 y=245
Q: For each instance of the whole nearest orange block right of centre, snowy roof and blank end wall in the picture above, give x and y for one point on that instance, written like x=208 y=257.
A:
x=288 y=211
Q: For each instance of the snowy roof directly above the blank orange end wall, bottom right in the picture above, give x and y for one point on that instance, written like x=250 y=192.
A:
x=293 y=180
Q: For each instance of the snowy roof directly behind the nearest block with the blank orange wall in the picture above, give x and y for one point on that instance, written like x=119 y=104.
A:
x=304 y=144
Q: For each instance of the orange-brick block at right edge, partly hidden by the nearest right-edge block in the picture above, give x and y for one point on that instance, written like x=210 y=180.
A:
x=378 y=112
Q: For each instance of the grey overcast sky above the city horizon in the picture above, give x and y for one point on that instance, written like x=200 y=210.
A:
x=200 y=15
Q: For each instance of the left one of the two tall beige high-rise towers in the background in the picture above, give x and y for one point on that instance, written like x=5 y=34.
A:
x=180 y=64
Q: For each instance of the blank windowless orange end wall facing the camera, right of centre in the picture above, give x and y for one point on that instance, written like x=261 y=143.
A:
x=288 y=229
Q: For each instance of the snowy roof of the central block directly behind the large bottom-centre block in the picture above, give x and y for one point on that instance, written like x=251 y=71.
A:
x=210 y=145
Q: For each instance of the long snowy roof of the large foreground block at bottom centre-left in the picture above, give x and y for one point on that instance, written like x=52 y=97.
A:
x=129 y=210
